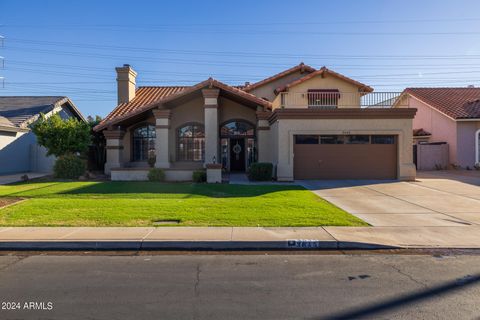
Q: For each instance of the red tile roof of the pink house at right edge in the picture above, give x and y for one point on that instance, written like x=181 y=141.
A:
x=457 y=103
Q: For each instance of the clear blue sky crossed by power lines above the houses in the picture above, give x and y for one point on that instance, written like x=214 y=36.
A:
x=71 y=47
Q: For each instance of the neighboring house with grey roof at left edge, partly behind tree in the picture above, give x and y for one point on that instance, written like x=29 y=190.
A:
x=19 y=151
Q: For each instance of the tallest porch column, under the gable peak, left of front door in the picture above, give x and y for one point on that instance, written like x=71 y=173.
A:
x=211 y=124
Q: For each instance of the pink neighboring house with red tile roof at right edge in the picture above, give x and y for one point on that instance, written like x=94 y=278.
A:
x=450 y=115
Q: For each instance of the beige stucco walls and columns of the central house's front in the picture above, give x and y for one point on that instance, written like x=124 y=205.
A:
x=213 y=105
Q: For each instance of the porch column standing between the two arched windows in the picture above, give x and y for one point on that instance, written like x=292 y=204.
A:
x=162 y=128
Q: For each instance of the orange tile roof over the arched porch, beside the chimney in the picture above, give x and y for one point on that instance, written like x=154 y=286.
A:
x=147 y=98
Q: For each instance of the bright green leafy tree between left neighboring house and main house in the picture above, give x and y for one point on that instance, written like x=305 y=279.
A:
x=61 y=137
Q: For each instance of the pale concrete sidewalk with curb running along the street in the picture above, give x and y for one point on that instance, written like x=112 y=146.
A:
x=228 y=238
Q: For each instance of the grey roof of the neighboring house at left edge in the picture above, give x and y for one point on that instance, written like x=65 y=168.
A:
x=18 y=111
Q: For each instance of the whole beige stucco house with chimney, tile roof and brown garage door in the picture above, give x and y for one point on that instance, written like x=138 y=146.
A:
x=309 y=123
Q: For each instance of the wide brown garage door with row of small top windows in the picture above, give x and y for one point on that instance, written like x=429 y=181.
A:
x=345 y=161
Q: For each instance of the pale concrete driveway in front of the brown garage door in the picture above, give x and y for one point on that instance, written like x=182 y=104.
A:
x=435 y=199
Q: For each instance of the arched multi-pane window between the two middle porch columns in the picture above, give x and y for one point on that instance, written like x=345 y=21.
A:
x=191 y=142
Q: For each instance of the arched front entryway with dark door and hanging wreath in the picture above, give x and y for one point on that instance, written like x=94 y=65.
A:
x=237 y=145
